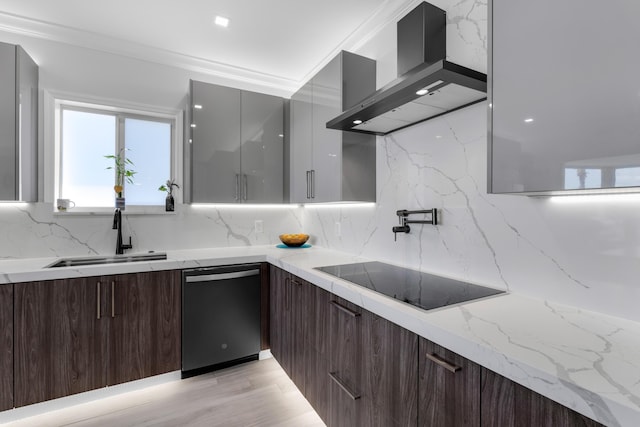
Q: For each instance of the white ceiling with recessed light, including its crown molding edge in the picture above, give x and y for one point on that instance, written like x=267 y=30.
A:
x=282 y=42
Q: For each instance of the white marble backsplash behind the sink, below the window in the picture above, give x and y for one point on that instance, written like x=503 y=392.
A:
x=33 y=230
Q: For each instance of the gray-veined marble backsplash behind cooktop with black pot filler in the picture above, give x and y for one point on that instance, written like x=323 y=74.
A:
x=581 y=250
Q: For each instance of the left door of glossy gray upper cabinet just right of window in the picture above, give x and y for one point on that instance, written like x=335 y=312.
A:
x=216 y=175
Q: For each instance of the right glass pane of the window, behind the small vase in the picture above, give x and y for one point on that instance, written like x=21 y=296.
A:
x=149 y=148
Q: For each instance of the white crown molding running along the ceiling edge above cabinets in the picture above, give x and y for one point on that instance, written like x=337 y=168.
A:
x=389 y=11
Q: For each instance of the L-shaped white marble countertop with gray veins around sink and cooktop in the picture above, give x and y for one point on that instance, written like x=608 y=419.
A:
x=587 y=361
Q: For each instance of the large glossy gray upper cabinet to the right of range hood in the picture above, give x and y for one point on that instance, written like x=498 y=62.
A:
x=564 y=96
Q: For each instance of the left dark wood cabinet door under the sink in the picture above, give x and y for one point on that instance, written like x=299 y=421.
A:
x=60 y=341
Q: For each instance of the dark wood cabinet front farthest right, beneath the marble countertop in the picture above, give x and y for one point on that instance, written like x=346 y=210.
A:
x=506 y=403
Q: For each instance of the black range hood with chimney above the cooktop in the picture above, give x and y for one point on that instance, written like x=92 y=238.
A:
x=428 y=85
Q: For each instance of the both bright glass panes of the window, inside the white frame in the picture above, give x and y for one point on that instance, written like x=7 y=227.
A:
x=88 y=134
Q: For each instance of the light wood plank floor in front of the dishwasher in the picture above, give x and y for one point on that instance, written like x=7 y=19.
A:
x=253 y=394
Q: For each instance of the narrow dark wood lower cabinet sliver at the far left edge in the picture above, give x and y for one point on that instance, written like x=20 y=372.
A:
x=6 y=347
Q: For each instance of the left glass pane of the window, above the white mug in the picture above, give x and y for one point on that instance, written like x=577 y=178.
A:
x=86 y=139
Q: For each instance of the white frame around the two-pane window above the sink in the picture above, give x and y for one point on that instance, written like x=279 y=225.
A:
x=52 y=145
